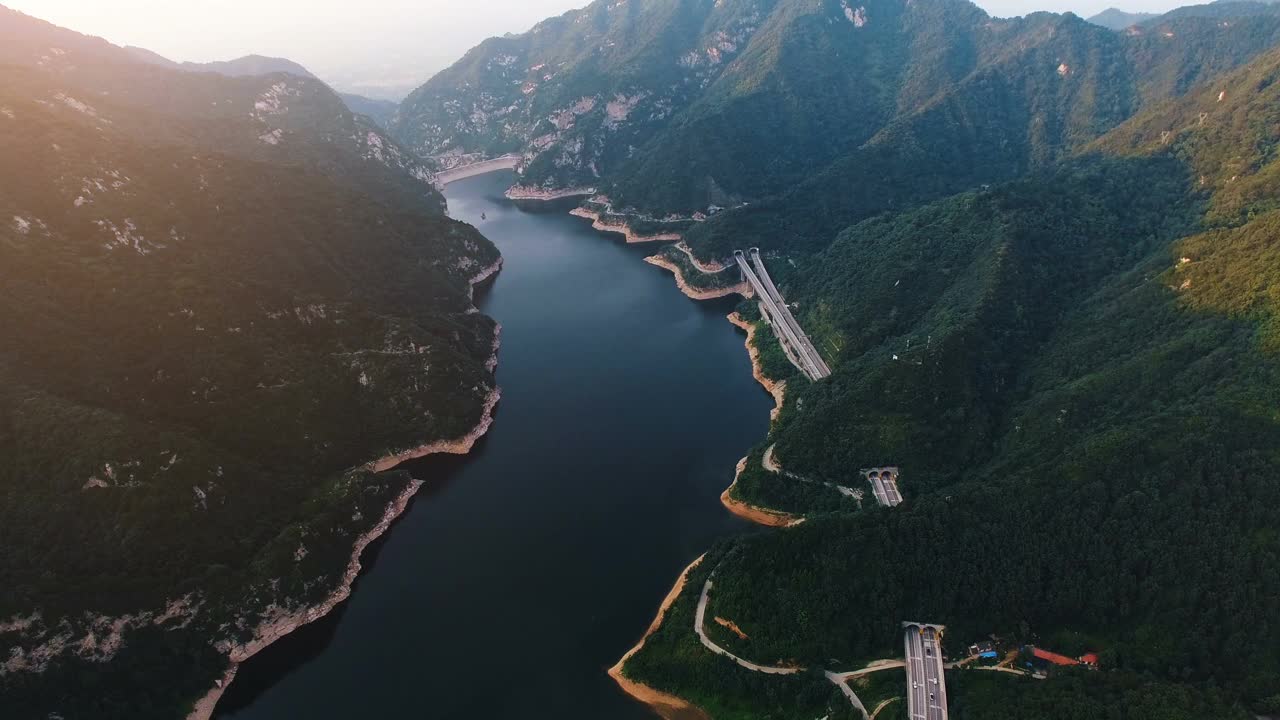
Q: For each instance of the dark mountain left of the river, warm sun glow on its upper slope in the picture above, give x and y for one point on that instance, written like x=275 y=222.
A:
x=222 y=299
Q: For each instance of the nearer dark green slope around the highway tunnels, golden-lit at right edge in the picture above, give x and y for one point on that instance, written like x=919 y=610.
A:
x=1077 y=375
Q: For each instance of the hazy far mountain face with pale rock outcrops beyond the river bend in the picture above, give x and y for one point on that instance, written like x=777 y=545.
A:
x=579 y=93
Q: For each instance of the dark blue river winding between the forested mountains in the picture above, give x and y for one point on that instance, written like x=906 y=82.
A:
x=523 y=572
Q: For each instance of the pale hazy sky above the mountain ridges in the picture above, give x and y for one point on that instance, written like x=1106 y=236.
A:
x=381 y=48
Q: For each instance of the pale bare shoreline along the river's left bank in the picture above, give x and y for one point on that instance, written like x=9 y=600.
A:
x=272 y=631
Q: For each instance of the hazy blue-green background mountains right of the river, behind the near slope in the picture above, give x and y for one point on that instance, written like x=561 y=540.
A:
x=682 y=106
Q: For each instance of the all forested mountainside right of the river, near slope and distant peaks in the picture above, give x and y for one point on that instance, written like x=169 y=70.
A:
x=1037 y=256
